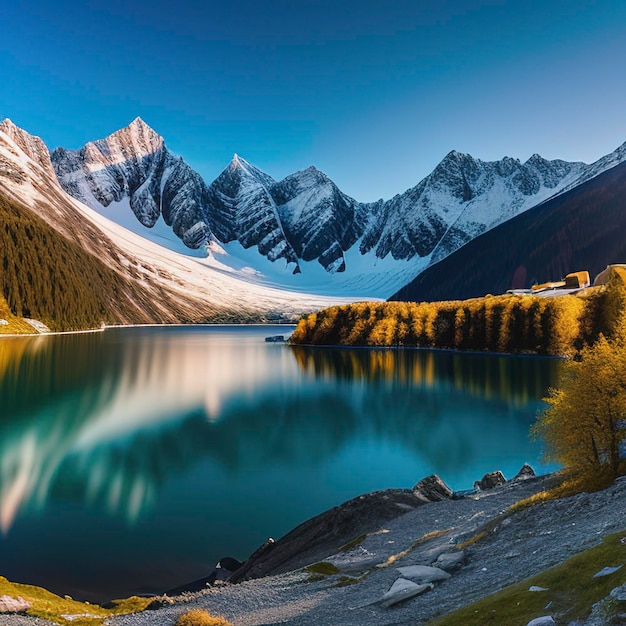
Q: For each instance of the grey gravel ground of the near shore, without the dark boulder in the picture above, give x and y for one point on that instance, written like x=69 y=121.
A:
x=516 y=547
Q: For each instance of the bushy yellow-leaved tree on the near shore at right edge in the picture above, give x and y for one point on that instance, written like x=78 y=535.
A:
x=585 y=425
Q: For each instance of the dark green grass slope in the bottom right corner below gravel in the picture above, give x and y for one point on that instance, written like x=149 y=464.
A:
x=572 y=590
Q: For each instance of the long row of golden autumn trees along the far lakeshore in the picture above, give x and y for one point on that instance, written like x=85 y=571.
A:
x=507 y=323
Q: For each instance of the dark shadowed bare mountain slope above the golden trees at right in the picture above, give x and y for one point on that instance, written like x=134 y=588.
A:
x=583 y=229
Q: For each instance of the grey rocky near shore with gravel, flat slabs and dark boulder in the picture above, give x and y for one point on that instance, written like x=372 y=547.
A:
x=381 y=578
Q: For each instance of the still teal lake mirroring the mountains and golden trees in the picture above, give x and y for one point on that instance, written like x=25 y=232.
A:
x=132 y=459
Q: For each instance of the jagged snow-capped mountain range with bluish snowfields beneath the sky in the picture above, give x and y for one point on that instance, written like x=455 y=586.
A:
x=286 y=232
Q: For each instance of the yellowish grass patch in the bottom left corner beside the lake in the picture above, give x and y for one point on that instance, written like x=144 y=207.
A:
x=49 y=606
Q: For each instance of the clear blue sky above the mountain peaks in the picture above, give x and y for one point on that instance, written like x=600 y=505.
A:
x=375 y=94
